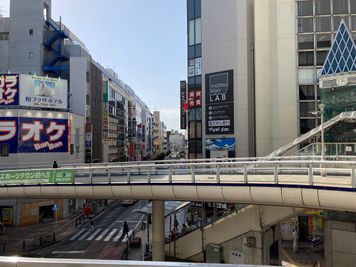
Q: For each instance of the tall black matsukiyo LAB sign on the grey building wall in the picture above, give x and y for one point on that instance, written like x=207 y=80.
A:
x=219 y=103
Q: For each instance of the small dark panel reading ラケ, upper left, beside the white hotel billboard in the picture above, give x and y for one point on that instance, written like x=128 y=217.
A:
x=9 y=90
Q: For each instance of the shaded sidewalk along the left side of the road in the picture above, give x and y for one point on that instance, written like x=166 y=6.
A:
x=23 y=240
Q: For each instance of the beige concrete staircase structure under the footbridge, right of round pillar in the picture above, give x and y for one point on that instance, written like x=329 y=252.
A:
x=250 y=229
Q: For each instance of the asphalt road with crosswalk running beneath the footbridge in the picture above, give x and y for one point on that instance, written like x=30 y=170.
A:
x=103 y=239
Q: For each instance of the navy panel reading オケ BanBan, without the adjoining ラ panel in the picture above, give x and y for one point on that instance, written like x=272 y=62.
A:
x=42 y=135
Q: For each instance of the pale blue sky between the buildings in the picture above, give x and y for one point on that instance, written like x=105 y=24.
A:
x=143 y=41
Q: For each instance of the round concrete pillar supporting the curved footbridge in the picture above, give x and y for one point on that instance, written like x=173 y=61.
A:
x=158 y=252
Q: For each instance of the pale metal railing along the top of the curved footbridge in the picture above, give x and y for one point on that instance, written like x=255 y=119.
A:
x=339 y=173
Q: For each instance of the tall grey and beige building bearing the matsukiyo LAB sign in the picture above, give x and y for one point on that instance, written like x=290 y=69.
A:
x=253 y=69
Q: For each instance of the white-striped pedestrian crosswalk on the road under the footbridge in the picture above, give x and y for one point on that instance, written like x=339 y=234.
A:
x=98 y=234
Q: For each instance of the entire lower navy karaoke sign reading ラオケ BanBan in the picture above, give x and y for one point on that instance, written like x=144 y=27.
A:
x=30 y=135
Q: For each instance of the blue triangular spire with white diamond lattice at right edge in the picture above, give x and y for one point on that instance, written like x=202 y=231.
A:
x=342 y=55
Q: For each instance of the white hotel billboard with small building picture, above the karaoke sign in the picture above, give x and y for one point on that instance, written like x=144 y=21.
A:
x=43 y=92
